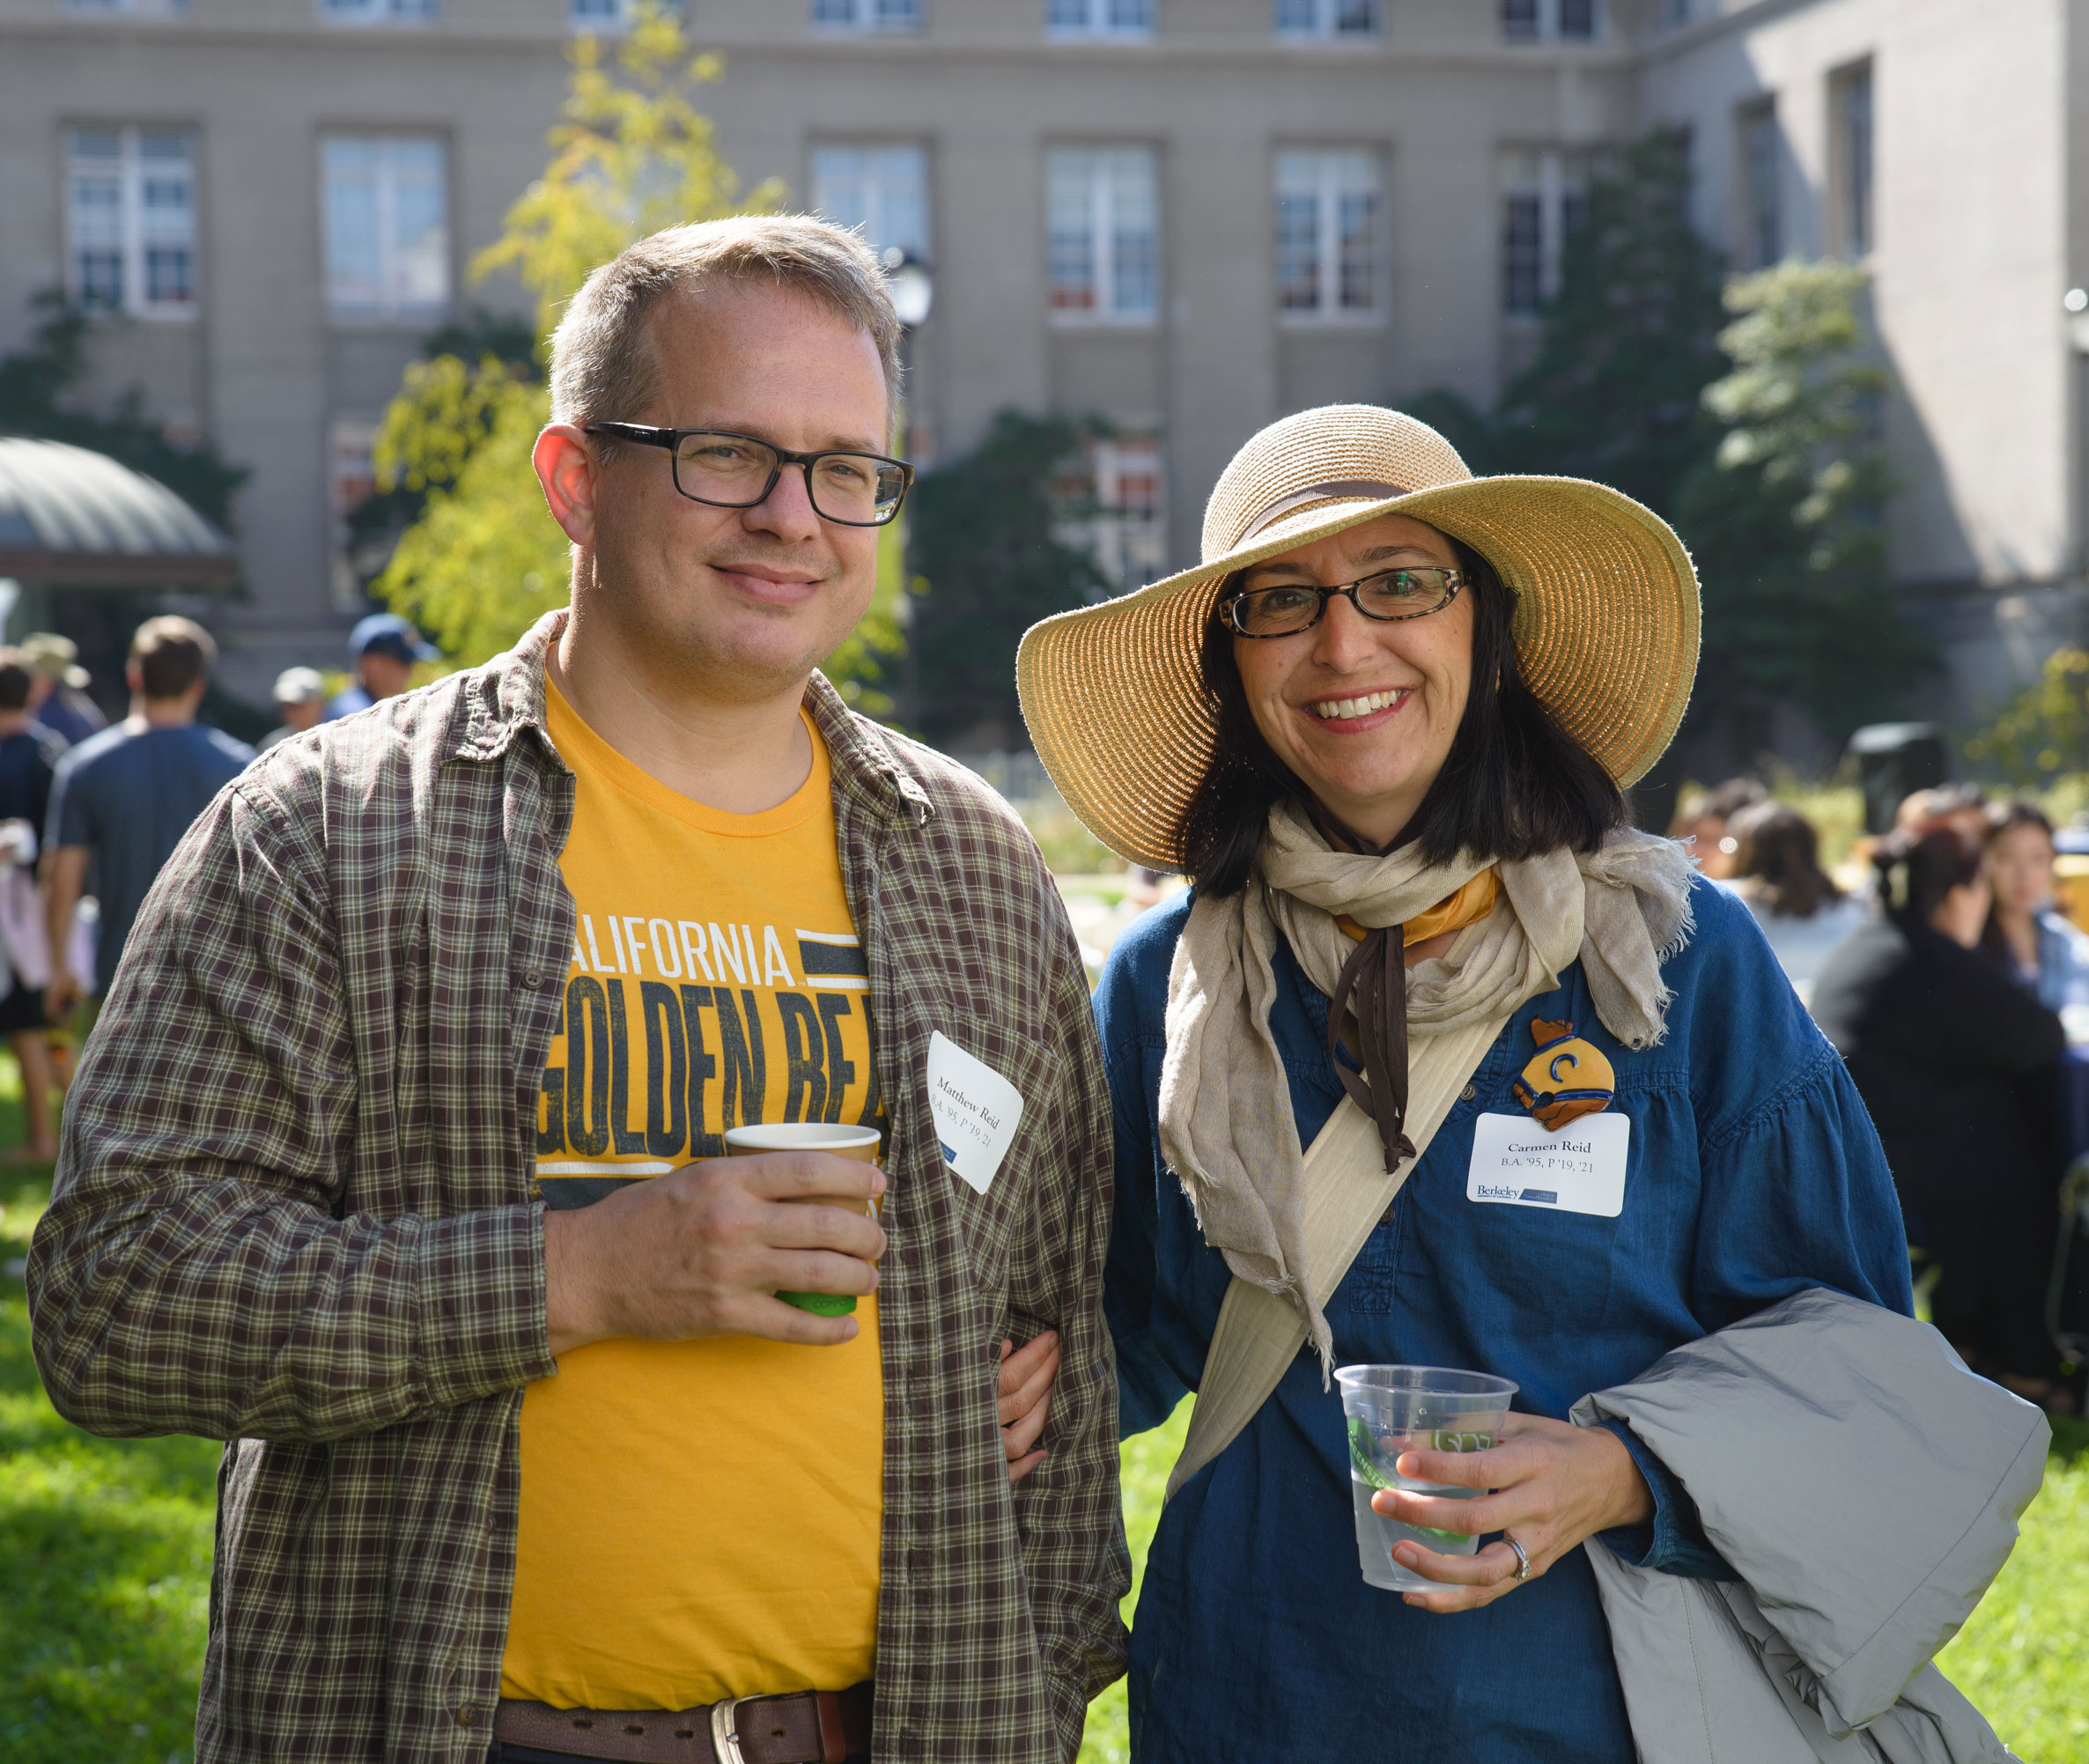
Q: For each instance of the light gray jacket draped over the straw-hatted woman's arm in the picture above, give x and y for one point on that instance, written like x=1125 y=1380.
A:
x=1867 y=1491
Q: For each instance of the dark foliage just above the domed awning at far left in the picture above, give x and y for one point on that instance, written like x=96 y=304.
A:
x=37 y=381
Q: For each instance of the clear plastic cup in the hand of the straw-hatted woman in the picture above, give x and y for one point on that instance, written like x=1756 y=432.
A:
x=1401 y=1410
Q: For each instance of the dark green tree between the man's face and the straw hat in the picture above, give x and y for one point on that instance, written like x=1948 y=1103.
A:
x=987 y=549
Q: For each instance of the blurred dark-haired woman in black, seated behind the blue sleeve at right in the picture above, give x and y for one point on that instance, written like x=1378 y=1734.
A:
x=1958 y=1067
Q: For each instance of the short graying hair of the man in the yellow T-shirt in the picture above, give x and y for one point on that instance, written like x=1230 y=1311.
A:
x=603 y=365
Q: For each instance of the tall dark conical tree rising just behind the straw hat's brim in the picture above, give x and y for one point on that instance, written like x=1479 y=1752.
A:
x=1626 y=348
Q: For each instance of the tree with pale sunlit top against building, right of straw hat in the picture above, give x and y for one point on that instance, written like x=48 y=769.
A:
x=1787 y=521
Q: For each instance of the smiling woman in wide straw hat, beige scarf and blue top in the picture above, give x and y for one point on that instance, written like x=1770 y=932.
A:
x=1386 y=728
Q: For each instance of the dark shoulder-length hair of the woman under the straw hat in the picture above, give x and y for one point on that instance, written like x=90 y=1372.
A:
x=1516 y=783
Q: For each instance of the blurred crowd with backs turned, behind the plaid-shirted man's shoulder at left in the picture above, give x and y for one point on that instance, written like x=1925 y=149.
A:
x=91 y=812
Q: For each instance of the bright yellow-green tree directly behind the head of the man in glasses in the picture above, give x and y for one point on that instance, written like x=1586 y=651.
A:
x=630 y=156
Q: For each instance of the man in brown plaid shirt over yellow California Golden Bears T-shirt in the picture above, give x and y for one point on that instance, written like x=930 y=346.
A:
x=394 y=1109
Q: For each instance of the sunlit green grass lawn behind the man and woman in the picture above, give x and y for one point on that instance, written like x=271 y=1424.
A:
x=105 y=1569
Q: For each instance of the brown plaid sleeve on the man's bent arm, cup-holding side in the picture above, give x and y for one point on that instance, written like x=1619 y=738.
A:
x=195 y=1274
